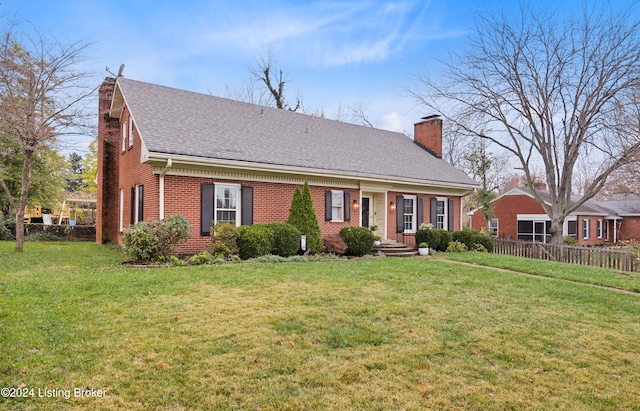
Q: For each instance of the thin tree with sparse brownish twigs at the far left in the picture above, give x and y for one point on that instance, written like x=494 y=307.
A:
x=40 y=92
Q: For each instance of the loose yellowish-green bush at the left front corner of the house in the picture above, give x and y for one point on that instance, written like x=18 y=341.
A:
x=155 y=241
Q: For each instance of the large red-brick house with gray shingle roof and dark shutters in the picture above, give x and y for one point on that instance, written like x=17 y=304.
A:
x=163 y=151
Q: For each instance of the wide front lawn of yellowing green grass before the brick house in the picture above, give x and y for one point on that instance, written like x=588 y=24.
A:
x=379 y=333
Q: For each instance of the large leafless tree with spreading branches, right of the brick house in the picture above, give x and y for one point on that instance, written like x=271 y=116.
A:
x=549 y=91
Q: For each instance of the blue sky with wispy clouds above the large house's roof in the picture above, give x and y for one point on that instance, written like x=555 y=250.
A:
x=336 y=53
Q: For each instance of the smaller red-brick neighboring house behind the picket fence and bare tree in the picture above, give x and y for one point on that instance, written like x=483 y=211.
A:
x=519 y=216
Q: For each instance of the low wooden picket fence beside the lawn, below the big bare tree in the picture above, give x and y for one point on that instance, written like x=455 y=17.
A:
x=595 y=256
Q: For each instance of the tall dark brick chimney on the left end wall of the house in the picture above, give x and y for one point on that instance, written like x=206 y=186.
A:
x=107 y=207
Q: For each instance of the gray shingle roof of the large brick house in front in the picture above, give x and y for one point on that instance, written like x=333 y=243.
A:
x=173 y=121
